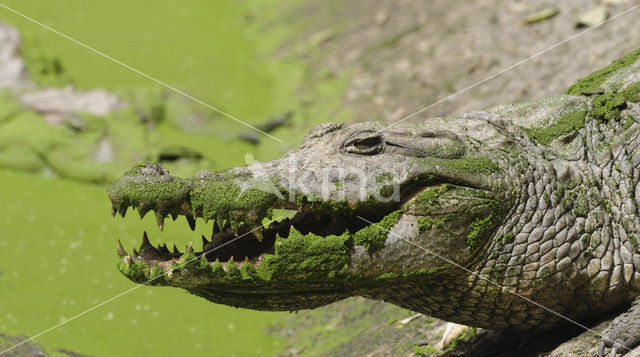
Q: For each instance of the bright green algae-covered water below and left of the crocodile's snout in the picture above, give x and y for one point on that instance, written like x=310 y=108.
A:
x=57 y=259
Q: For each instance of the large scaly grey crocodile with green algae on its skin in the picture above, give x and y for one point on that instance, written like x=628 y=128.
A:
x=520 y=217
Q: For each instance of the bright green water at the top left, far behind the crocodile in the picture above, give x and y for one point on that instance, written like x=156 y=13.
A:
x=211 y=49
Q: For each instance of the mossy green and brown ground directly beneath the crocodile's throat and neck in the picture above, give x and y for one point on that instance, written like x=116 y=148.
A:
x=380 y=329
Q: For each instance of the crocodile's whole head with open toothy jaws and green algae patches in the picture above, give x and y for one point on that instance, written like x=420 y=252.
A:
x=360 y=194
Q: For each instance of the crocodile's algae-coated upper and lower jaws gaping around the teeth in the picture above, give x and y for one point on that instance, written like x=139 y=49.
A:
x=315 y=243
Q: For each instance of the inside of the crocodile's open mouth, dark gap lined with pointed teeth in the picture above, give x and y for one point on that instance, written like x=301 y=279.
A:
x=236 y=241
